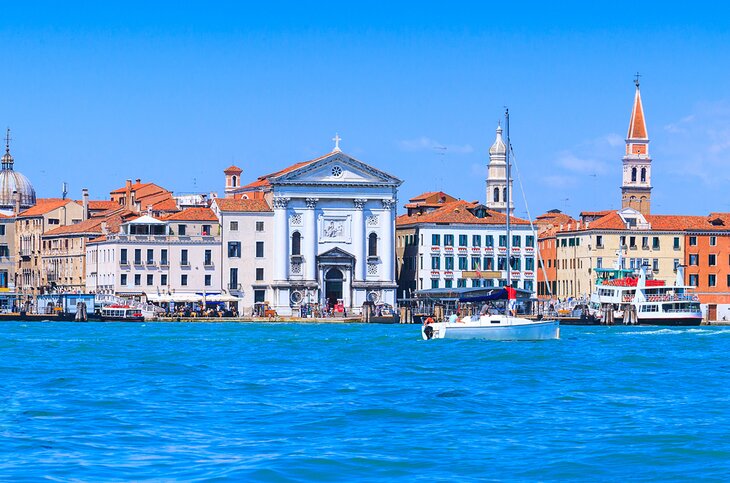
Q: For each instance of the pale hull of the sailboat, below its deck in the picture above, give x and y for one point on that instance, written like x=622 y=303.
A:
x=547 y=330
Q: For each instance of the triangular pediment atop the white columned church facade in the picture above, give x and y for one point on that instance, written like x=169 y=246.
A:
x=338 y=169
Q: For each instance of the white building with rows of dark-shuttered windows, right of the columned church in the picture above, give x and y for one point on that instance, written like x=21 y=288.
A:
x=462 y=244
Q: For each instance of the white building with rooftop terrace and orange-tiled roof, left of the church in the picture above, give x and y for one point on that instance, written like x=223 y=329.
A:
x=177 y=255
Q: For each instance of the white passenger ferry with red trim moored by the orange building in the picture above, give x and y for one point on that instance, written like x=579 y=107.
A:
x=623 y=297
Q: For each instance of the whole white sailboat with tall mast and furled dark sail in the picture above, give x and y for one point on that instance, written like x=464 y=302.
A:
x=495 y=326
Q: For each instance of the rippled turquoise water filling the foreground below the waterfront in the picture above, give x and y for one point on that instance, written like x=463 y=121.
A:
x=283 y=402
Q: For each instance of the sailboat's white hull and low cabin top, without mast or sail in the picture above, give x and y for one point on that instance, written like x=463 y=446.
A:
x=493 y=327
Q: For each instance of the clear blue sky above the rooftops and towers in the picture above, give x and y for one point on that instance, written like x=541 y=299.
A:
x=175 y=92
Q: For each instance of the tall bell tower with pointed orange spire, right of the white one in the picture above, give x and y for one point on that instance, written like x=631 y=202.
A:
x=636 y=186
